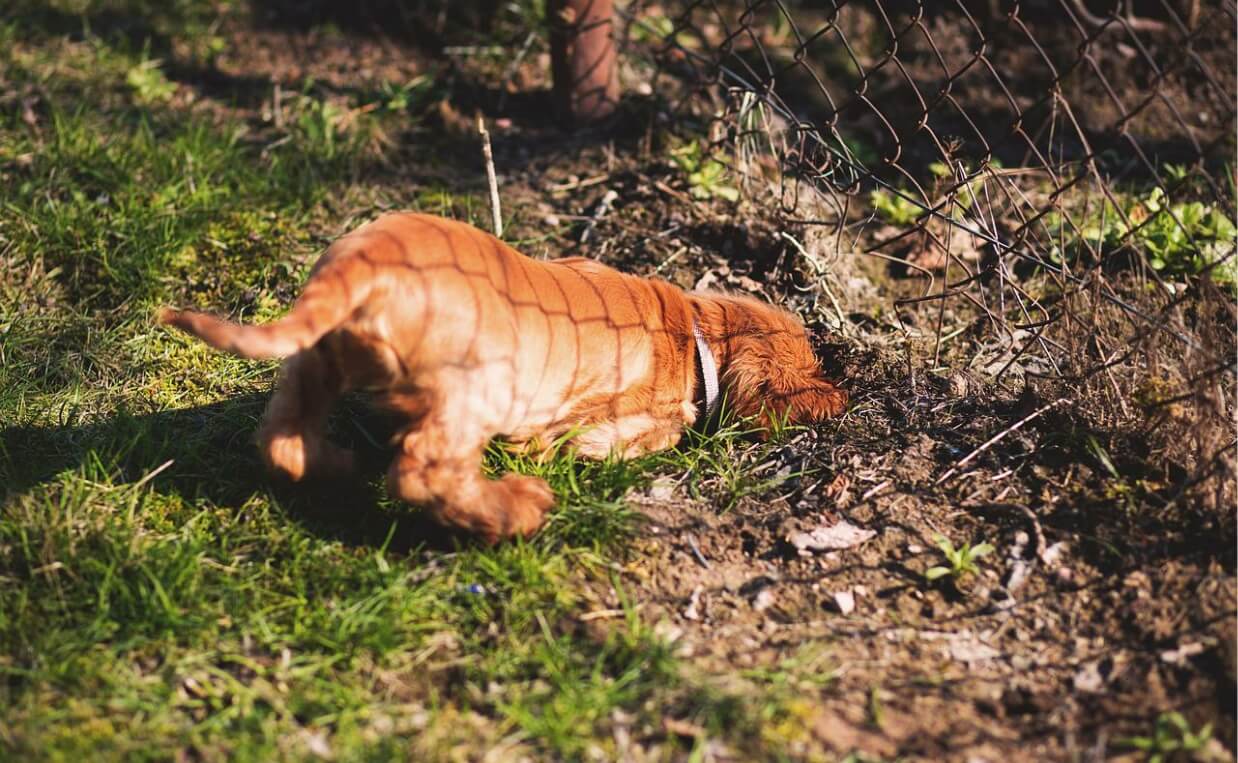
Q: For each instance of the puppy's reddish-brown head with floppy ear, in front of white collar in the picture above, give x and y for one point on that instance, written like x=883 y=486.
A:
x=769 y=370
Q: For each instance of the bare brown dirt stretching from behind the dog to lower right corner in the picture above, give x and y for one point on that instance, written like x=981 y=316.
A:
x=1091 y=617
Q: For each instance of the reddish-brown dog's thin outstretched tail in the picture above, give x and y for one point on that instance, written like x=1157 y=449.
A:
x=325 y=304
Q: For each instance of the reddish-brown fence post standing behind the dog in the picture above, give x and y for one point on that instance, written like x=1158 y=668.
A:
x=584 y=59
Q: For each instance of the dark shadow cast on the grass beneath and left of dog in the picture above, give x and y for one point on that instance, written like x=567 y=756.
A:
x=206 y=455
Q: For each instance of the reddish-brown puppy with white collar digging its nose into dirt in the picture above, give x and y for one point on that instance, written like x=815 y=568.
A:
x=470 y=340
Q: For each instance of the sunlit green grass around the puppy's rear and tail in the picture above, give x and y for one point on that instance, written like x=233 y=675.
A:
x=158 y=595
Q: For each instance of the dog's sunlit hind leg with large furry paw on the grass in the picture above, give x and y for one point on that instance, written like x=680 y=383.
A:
x=435 y=471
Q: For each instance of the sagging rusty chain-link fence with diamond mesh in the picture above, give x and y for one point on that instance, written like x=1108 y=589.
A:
x=984 y=144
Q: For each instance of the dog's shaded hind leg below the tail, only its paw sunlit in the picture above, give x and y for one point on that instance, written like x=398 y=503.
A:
x=293 y=437
